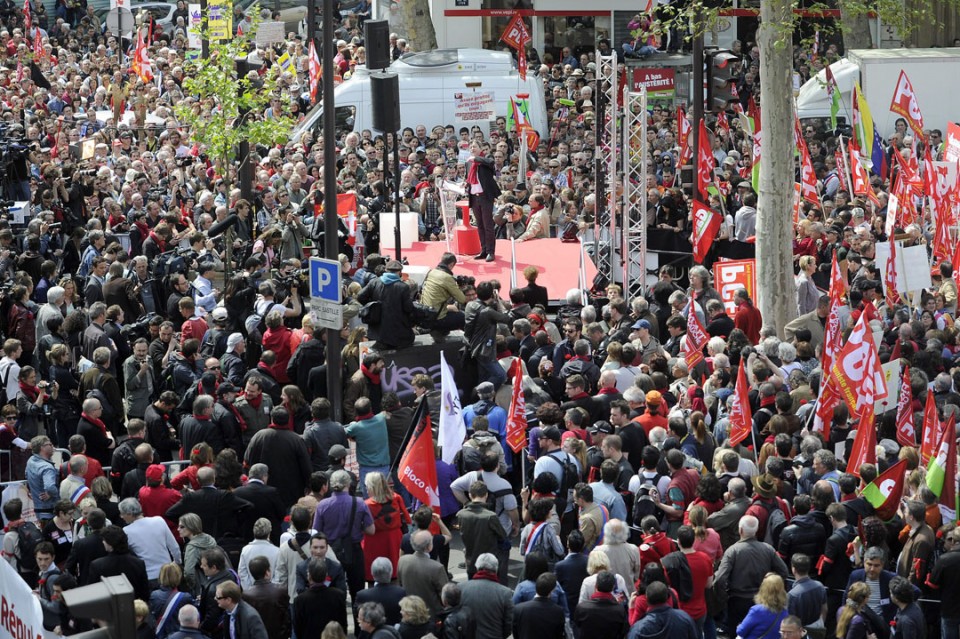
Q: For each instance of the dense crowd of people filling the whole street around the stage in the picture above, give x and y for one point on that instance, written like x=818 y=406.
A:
x=133 y=338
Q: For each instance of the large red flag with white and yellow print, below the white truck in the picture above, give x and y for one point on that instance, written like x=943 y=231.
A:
x=857 y=370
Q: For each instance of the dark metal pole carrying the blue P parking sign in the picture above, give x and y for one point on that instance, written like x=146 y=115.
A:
x=330 y=244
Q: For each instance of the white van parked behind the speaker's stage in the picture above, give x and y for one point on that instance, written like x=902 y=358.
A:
x=429 y=82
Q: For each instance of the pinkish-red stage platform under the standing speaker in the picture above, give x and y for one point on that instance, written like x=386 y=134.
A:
x=558 y=262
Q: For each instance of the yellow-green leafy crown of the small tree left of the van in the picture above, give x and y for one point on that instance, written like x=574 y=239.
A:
x=221 y=97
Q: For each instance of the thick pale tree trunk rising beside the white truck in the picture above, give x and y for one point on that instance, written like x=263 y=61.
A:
x=777 y=297
